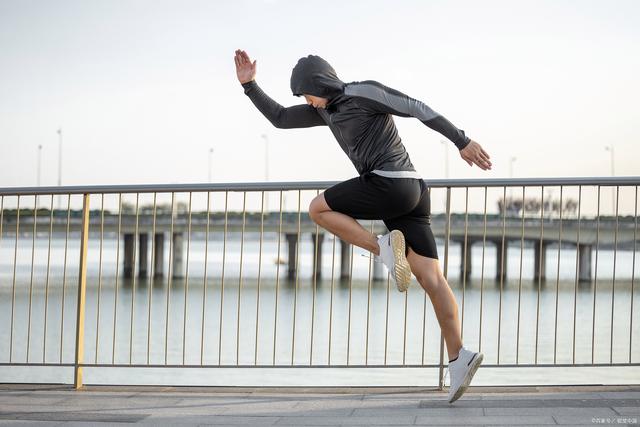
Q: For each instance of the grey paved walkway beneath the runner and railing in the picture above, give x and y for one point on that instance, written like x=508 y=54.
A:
x=62 y=406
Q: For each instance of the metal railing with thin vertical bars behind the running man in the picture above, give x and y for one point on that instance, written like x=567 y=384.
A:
x=281 y=315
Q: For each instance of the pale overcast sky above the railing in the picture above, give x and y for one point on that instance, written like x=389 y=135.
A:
x=144 y=89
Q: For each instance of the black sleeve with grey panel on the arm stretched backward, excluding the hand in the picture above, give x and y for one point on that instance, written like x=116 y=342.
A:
x=386 y=100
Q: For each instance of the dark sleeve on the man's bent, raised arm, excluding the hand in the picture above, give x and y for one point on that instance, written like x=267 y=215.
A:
x=298 y=116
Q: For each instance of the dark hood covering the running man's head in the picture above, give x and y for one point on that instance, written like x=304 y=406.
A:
x=313 y=75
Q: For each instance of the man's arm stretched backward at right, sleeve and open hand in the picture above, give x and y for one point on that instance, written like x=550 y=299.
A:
x=383 y=99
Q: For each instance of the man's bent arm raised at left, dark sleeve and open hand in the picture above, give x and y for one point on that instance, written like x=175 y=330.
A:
x=298 y=116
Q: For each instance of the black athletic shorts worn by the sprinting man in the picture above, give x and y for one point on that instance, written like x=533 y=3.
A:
x=402 y=203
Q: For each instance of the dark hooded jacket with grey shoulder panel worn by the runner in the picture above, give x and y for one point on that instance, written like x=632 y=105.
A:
x=359 y=114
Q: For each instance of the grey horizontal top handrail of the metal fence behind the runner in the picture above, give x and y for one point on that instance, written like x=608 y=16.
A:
x=307 y=185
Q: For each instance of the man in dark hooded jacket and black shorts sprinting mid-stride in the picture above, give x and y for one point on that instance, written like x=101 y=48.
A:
x=359 y=114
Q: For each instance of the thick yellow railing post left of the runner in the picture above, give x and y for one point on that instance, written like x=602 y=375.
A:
x=82 y=284
